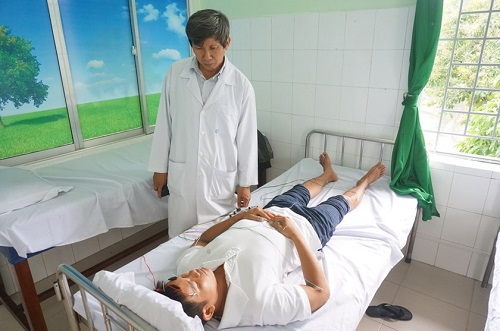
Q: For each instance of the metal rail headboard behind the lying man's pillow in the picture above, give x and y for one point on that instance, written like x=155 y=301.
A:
x=116 y=317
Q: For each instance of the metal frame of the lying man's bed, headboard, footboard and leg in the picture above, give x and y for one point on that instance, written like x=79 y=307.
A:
x=133 y=321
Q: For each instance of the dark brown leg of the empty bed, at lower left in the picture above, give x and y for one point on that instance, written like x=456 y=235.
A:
x=29 y=296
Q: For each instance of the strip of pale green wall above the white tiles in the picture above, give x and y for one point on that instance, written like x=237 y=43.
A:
x=256 y=8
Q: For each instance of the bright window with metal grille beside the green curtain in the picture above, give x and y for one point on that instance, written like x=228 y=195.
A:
x=459 y=109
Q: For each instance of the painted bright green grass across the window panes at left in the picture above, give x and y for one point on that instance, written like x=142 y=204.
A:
x=38 y=131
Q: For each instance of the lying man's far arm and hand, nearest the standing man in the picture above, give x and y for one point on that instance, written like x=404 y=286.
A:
x=254 y=214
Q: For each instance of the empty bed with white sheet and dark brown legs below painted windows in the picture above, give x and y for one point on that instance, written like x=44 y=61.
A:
x=68 y=199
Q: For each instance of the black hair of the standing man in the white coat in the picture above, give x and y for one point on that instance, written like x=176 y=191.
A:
x=207 y=23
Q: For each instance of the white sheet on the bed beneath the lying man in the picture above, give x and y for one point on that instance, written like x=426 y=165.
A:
x=364 y=248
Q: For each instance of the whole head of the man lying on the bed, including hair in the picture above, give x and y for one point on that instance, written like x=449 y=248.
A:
x=196 y=290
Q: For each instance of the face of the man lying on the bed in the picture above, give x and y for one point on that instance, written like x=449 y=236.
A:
x=198 y=285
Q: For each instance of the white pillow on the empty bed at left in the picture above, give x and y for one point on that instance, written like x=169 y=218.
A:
x=21 y=187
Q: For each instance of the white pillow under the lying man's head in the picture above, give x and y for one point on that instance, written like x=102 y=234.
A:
x=158 y=310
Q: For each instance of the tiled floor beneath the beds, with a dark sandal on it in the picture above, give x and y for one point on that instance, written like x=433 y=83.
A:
x=439 y=300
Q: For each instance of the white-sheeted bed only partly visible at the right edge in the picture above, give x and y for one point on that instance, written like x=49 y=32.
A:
x=493 y=318
